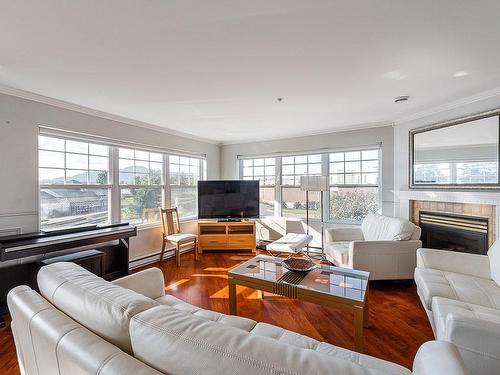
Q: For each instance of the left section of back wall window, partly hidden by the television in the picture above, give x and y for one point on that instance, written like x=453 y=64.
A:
x=263 y=170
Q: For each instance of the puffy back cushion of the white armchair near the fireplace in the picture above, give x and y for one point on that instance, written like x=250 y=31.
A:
x=384 y=228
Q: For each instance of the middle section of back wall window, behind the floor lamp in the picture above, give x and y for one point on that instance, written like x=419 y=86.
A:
x=293 y=199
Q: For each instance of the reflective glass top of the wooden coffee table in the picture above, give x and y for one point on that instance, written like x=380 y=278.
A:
x=336 y=281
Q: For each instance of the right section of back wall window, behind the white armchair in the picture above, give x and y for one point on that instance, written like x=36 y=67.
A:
x=354 y=179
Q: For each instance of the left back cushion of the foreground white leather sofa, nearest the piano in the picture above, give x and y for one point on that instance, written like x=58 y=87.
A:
x=102 y=307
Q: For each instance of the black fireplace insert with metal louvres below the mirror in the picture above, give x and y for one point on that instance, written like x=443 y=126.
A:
x=449 y=231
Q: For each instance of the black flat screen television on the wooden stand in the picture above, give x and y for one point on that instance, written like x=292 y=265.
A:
x=228 y=199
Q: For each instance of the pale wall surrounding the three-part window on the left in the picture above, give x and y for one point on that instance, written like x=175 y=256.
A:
x=19 y=123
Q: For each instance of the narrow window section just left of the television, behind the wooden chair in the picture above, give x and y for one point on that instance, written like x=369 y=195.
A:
x=184 y=173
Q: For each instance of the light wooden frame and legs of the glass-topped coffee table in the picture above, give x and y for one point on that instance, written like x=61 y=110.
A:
x=358 y=308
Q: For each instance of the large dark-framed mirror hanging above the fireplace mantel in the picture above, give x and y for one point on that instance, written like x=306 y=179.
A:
x=458 y=154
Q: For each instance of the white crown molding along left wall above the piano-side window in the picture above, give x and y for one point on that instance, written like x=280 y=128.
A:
x=23 y=94
